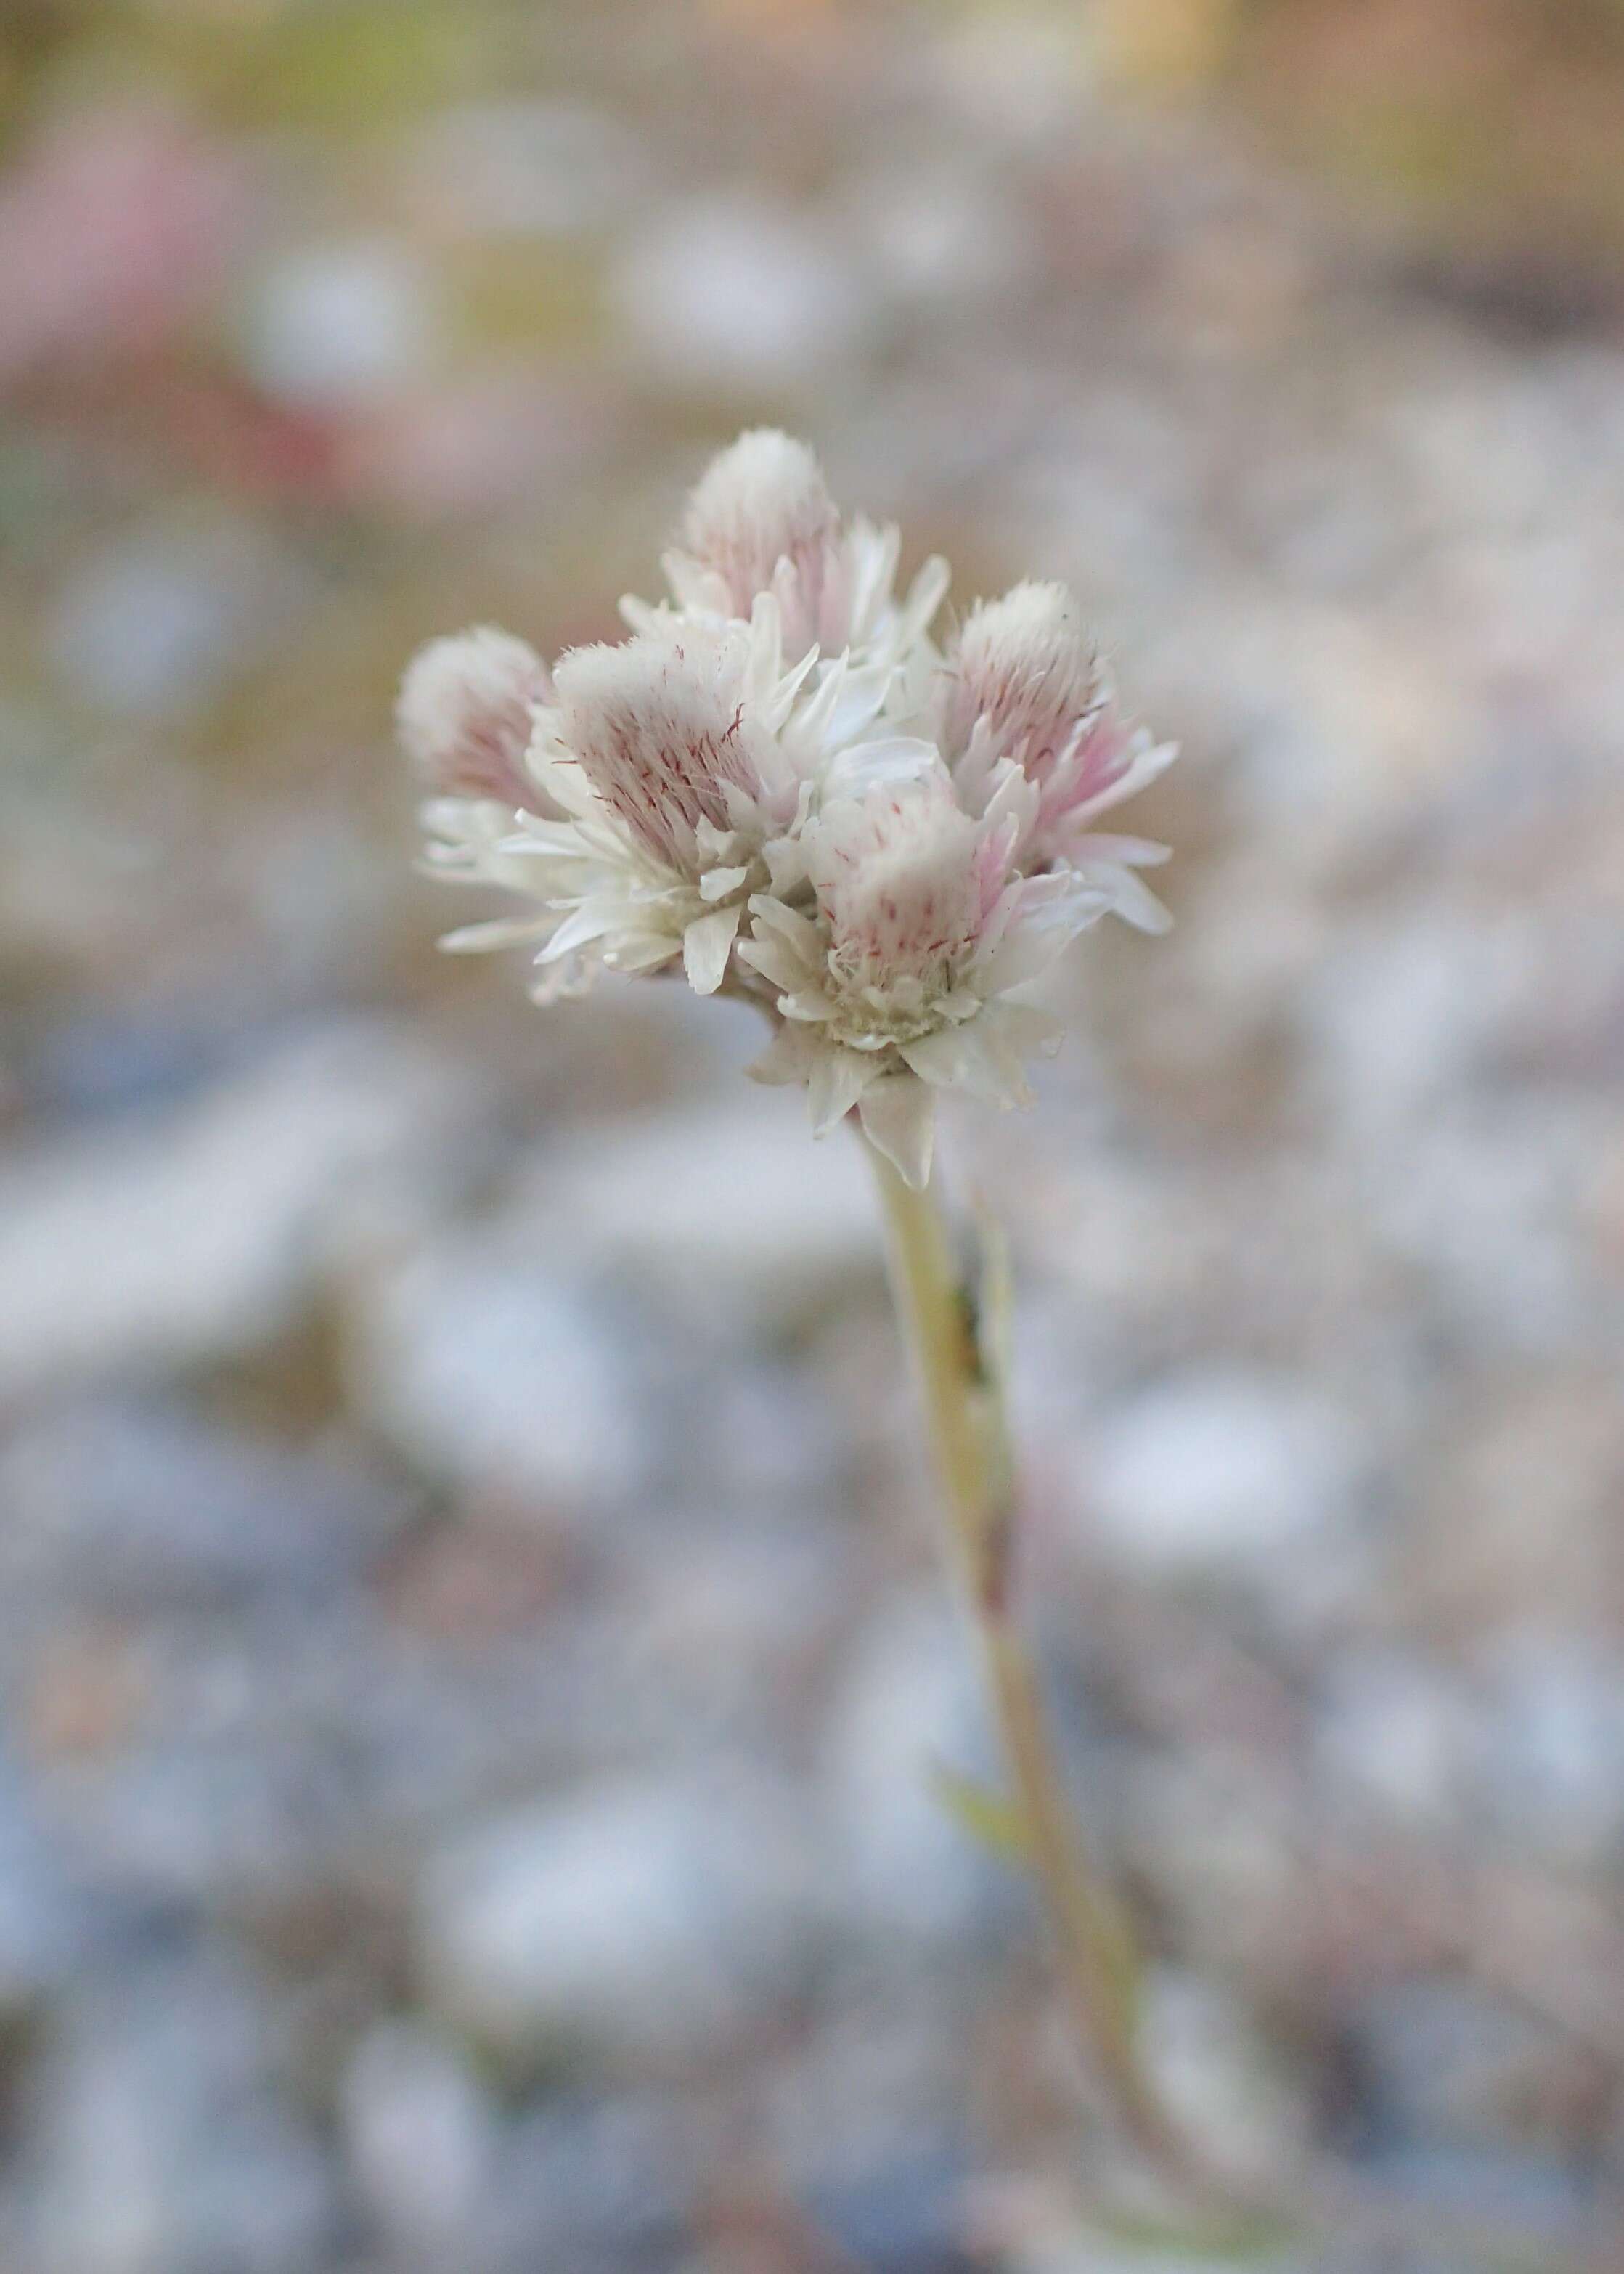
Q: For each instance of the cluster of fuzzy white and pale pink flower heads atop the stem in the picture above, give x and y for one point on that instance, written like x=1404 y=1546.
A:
x=784 y=783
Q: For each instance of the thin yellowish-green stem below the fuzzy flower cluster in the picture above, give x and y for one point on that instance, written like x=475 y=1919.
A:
x=966 y=1416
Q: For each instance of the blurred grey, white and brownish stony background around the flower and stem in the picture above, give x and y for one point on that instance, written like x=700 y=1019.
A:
x=472 y=1648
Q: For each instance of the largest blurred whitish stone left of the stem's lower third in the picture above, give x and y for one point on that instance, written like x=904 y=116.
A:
x=640 y=1920
